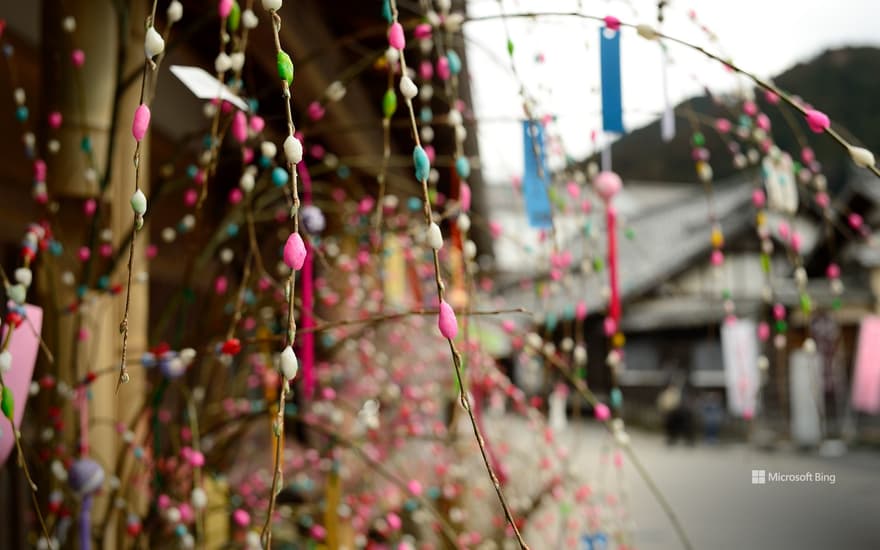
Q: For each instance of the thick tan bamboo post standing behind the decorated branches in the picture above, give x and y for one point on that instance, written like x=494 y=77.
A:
x=93 y=147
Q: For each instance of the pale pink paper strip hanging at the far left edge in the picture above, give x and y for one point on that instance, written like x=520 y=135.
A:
x=24 y=345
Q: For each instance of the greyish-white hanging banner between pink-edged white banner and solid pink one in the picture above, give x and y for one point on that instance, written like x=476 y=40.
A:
x=805 y=371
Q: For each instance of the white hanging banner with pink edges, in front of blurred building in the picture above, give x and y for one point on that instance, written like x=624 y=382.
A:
x=739 y=346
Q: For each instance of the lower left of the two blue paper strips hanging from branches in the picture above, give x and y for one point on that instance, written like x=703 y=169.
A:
x=535 y=181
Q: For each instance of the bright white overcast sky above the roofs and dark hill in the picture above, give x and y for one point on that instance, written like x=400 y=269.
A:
x=763 y=36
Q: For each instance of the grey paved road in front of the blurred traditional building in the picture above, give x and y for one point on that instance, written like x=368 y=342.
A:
x=712 y=491
